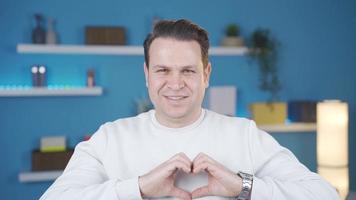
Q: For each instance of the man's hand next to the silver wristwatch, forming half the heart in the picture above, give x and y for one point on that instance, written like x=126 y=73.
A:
x=221 y=181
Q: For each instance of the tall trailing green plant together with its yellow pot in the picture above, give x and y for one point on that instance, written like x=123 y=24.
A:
x=264 y=52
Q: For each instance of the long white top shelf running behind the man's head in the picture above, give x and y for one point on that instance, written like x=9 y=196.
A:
x=111 y=50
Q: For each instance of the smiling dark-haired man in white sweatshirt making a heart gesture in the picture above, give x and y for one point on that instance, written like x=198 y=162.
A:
x=179 y=150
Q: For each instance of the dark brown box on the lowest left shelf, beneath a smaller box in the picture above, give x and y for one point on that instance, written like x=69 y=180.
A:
x=50 y=160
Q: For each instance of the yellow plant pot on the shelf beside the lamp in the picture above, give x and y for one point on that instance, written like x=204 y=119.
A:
x=269 y=113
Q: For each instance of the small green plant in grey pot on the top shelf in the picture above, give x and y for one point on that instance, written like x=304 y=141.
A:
x=232 y=36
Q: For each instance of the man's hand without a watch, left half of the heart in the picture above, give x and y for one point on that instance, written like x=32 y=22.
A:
x=160 y=181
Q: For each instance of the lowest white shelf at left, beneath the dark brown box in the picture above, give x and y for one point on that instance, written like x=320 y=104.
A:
x=26 y=177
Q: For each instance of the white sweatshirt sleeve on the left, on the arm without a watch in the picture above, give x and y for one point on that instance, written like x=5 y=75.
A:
x=86 y=178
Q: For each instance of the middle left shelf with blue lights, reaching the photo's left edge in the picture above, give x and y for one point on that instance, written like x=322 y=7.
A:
x=26 y=92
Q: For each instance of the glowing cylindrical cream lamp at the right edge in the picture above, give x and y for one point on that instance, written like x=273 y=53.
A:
x=332 y=144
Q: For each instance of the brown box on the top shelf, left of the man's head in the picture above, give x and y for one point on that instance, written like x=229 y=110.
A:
x=97 y=35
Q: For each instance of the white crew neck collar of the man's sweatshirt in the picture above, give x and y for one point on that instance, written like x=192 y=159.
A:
x=181 y=129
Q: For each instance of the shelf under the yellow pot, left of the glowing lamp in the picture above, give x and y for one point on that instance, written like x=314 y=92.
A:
x=292 y=127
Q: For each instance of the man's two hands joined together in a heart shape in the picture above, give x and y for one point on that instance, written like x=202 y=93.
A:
x=160 y=181
